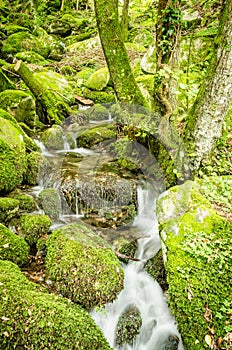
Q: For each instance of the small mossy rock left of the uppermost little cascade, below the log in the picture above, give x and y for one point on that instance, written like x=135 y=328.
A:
x=52 y=138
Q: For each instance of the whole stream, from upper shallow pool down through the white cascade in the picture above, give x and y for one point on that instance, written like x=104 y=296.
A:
x=158 y=329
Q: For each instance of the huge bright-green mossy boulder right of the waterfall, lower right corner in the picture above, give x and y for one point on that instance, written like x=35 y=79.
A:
x=197 y=256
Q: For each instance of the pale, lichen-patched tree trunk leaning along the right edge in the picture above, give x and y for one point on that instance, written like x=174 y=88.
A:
x=206 y=117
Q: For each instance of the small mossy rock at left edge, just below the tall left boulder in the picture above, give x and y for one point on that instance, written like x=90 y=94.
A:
x=9 y=208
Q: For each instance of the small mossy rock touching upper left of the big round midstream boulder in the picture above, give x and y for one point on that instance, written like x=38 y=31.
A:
x=34 y=226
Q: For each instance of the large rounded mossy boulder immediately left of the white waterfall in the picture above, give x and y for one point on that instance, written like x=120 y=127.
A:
x=83 y=266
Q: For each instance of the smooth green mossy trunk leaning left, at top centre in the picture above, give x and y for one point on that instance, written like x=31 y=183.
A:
x=115 y=53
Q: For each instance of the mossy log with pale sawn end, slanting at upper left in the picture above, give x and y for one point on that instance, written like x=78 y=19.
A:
x=53 y=107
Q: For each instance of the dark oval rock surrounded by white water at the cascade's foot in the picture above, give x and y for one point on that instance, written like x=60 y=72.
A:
x=128 y=326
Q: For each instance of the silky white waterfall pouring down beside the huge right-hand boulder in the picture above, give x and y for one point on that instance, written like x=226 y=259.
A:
x=141 y=290
